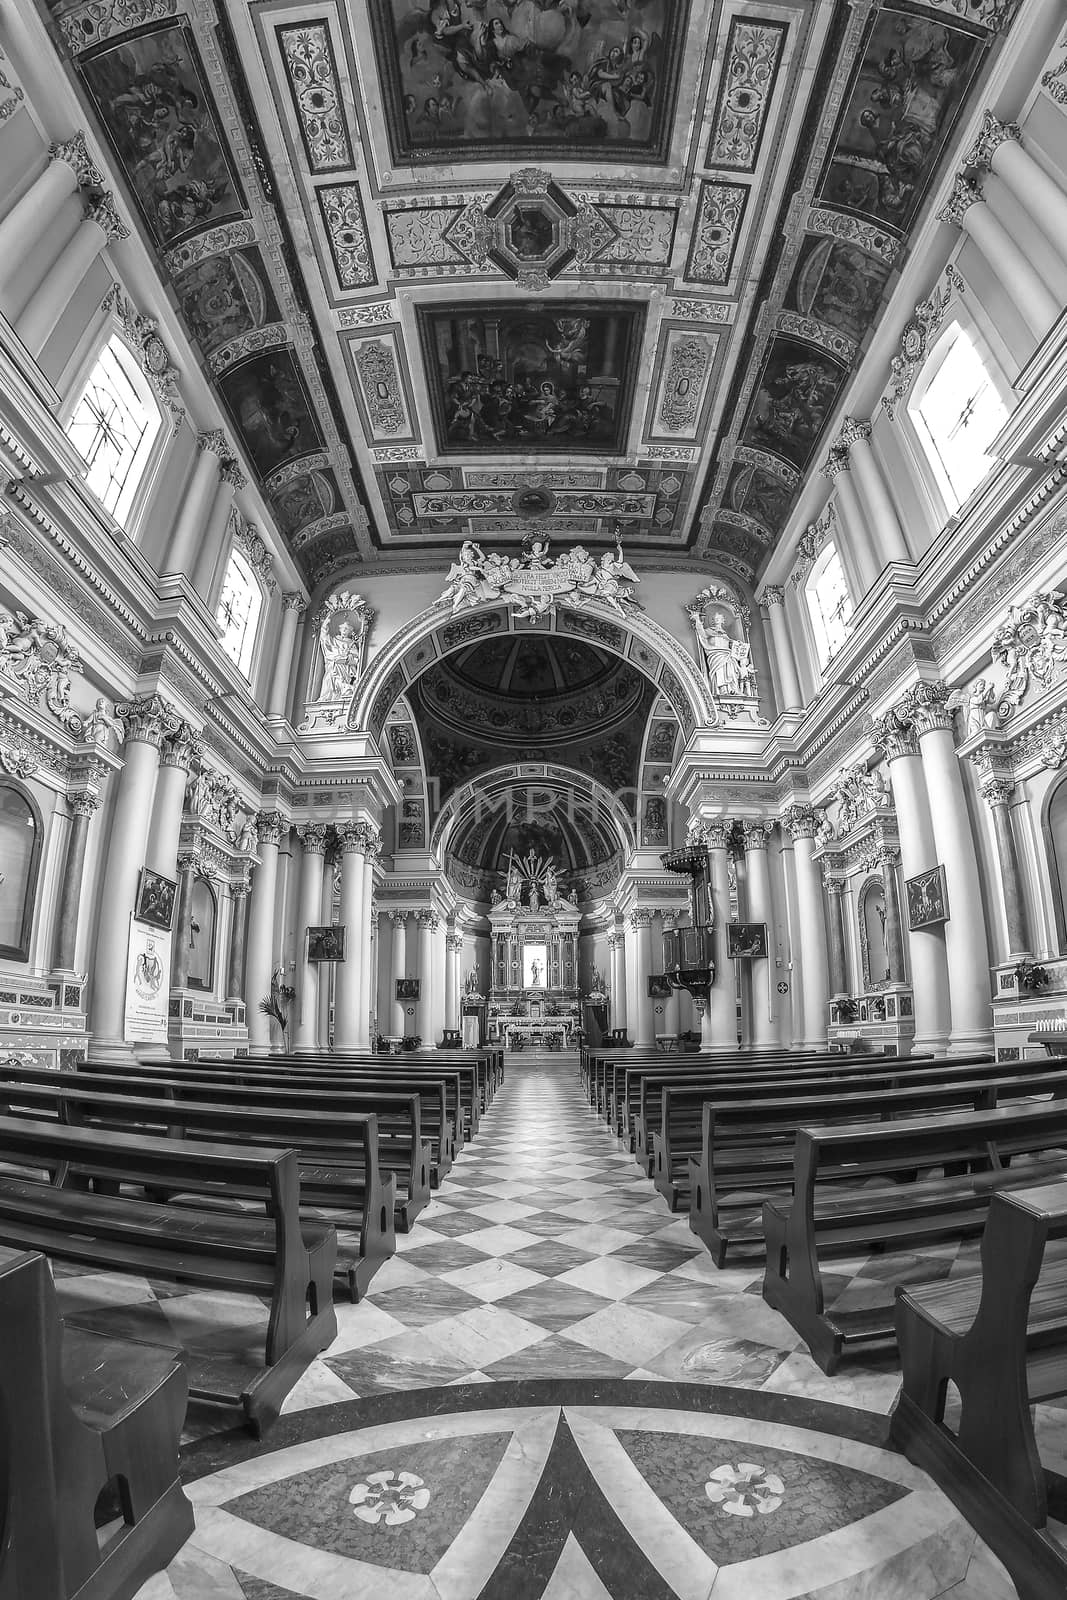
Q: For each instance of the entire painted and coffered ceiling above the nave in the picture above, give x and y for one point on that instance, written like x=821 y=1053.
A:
x=478 y=268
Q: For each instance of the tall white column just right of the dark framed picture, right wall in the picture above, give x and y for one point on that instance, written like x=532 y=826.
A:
x=967 y=950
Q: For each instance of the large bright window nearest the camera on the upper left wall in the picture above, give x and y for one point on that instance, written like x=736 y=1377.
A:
x=114 y=428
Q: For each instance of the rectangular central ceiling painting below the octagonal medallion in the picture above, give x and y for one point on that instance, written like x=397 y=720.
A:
x=540 y=378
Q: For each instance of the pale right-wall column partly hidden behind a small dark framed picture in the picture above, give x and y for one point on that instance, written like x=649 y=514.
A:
x=919 y=854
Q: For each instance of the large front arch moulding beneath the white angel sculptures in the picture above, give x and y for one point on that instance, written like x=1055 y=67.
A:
x=436 y=634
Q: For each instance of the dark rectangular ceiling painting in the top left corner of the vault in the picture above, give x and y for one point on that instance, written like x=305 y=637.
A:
x=154 y=103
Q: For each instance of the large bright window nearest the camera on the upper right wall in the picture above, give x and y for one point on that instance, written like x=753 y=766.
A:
x=957 y=412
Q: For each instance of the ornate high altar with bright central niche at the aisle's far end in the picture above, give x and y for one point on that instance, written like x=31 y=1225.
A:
x=535 y=994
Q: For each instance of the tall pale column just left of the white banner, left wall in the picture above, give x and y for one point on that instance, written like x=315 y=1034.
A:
x=146 y=722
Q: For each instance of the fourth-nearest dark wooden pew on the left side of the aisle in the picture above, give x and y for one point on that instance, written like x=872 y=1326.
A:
x=318 y=1126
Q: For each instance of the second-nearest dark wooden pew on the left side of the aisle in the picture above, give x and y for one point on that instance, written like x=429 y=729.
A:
x=276 y=1257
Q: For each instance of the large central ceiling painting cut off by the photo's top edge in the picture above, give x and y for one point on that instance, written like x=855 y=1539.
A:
x=514 y=79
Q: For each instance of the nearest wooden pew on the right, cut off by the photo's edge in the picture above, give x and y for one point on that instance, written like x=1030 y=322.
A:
x=1001 y=1337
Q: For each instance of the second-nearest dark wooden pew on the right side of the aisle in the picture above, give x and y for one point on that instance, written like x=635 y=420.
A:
x=831 y=1212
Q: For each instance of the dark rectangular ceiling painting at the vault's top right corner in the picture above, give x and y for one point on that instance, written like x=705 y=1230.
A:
x=900 y=110
